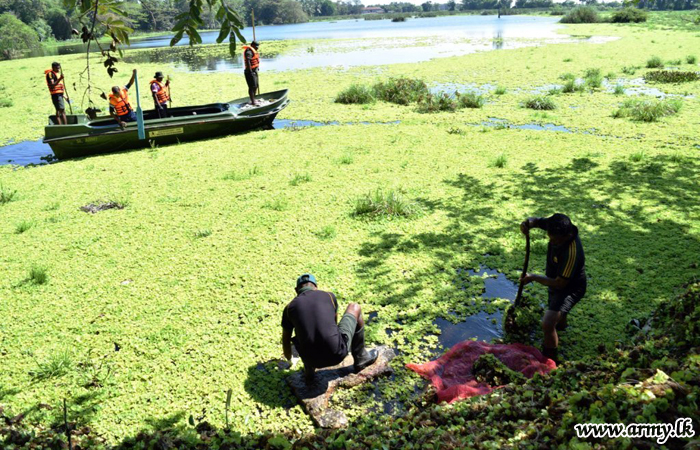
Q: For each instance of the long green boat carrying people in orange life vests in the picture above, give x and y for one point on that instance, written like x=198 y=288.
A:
x=84 y=136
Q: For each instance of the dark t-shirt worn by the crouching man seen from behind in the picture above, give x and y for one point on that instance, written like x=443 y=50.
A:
x=311 y=315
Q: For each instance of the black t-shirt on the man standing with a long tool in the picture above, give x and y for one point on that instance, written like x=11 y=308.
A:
x=567 y=261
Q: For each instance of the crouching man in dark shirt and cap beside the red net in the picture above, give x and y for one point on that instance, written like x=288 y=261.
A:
x=319 y=338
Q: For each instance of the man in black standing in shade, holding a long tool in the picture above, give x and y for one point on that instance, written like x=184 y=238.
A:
x=565 y=275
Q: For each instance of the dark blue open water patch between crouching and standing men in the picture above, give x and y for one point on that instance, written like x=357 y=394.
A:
x=482 y=326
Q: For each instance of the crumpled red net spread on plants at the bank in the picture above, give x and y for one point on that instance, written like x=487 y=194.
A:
x=452 y=374
